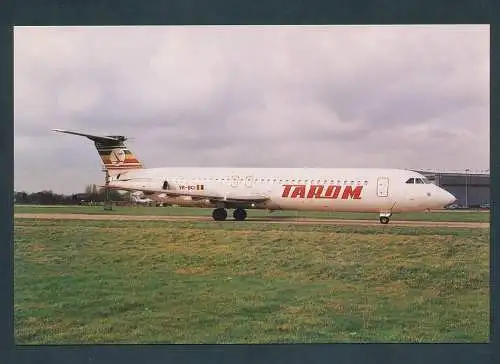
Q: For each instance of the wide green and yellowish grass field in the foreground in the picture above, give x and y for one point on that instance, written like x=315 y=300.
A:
x=215 y=282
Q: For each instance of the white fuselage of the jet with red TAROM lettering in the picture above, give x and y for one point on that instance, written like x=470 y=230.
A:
x=314 y=189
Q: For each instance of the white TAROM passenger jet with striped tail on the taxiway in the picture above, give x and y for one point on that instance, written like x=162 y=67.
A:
x=384 y=191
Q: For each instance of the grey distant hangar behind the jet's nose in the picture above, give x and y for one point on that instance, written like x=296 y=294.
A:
x=470 y=189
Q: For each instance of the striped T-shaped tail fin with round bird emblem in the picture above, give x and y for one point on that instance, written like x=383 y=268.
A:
x=114 y=153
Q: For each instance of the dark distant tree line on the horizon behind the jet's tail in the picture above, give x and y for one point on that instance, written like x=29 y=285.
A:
x=92 y=193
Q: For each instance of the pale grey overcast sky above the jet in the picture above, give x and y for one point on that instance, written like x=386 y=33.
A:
x=402 y=97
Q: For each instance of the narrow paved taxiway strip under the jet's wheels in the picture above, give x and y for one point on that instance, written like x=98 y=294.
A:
x=268 y=220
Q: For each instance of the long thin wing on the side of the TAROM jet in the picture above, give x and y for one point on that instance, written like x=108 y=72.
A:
x=235 y=198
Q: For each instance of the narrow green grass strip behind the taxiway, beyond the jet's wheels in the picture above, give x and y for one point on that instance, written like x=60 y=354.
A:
x=469 y=216
